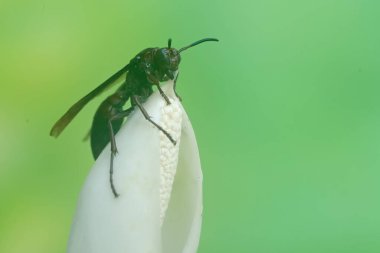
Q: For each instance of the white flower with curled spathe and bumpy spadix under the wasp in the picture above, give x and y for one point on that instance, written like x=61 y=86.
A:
x=136 y=221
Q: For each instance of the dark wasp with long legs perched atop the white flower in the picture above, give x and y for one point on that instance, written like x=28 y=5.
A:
x=147 y=69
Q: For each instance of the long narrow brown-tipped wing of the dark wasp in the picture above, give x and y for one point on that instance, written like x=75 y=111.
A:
x=61 y=124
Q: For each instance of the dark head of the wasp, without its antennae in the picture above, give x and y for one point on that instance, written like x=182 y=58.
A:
x=167 y=61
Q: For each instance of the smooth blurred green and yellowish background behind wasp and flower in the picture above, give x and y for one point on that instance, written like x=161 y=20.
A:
x=285 y=107
